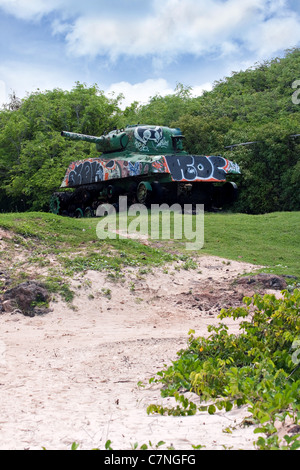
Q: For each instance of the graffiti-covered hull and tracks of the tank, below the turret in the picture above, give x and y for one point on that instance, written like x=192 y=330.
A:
x=180 y=178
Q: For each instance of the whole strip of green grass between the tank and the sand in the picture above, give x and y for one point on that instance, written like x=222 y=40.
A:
x=271 y=240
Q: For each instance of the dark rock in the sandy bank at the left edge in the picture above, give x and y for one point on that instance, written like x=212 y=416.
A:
x=30 y=297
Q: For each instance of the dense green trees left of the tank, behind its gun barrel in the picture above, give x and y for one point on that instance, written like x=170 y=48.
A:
x=34 y=156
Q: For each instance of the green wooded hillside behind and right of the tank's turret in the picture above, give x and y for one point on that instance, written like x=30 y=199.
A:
x=250 y=106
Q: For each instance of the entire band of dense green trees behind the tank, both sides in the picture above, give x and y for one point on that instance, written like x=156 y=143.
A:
x=250 y=106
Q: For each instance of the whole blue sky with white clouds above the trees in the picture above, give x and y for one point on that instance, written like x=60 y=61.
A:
x=138 y=48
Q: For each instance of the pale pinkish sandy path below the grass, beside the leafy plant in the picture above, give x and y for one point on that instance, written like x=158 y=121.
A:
x=72 y=375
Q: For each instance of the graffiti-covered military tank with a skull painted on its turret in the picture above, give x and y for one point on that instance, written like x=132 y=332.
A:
x=148 y=164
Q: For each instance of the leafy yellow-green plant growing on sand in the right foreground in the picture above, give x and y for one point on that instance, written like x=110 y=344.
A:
x=258 y=367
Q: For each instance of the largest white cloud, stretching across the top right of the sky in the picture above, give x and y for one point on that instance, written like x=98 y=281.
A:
x=175 y=27
